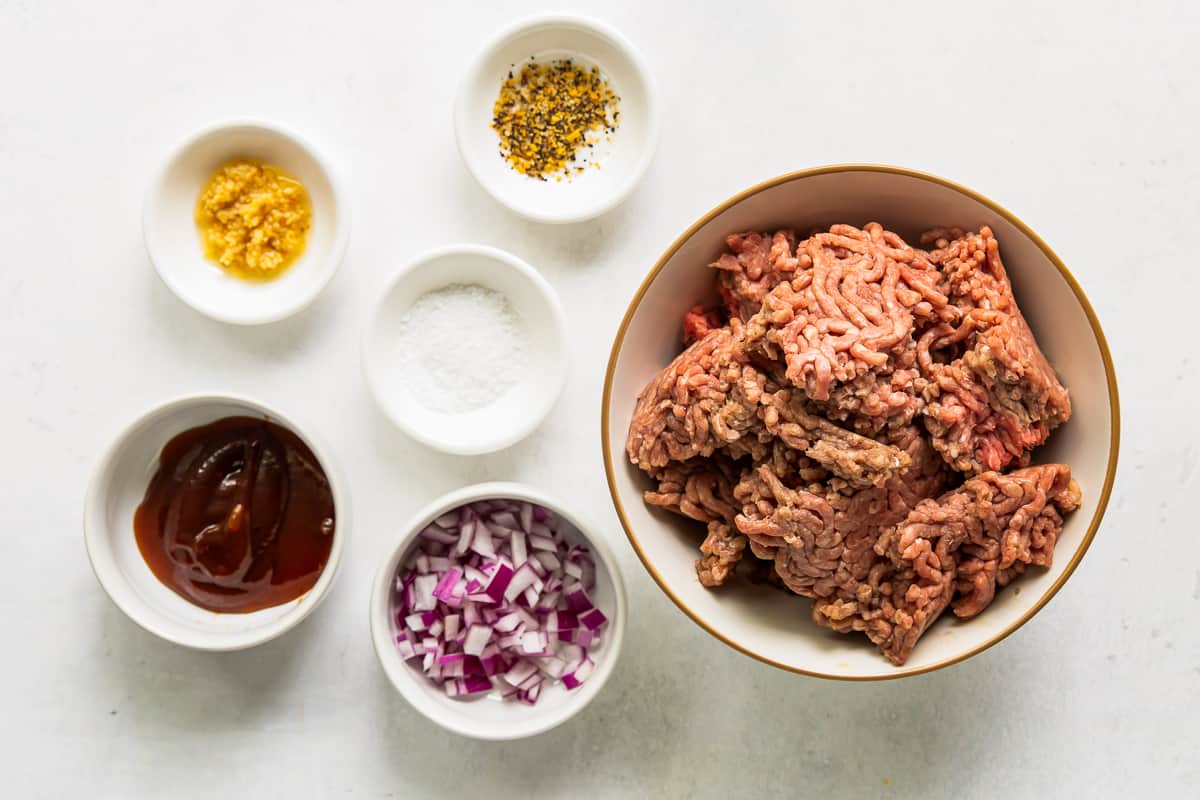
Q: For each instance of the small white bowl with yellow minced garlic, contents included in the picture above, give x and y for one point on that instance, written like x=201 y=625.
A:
x=247 y=224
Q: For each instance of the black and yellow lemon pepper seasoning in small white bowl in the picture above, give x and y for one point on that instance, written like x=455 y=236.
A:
x=548 y=115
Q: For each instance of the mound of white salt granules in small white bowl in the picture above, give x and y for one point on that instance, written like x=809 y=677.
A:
x=463 y=348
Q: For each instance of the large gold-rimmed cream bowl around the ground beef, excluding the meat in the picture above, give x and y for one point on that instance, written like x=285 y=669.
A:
x=775 y=627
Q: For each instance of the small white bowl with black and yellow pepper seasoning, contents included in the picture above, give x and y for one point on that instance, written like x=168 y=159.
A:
x=556 y=119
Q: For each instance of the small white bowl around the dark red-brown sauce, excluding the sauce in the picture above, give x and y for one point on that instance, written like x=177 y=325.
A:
x=118 y=488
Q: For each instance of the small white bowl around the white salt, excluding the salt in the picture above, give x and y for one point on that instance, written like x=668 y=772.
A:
x=518 y=412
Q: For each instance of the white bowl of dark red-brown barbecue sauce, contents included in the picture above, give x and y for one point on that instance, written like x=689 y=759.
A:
x=215 y=522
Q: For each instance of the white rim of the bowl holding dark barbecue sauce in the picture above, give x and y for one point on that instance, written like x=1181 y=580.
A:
x=309 y=603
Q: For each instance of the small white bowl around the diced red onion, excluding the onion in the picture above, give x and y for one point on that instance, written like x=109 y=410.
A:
x=490 y=718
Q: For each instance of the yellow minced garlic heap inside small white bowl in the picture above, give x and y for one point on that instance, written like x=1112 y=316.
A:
x=254 y=219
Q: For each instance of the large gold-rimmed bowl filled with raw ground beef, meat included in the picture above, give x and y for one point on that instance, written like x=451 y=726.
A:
x=857 y=406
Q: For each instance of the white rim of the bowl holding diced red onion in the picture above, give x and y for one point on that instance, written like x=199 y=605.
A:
x=380 y=615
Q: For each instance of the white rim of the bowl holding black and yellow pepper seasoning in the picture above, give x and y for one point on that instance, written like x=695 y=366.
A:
x=608 y=202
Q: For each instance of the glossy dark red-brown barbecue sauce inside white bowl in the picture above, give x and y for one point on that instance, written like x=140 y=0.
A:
x=238 y=518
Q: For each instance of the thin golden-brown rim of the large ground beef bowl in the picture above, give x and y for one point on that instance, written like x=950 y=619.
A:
x=1077 y=290
